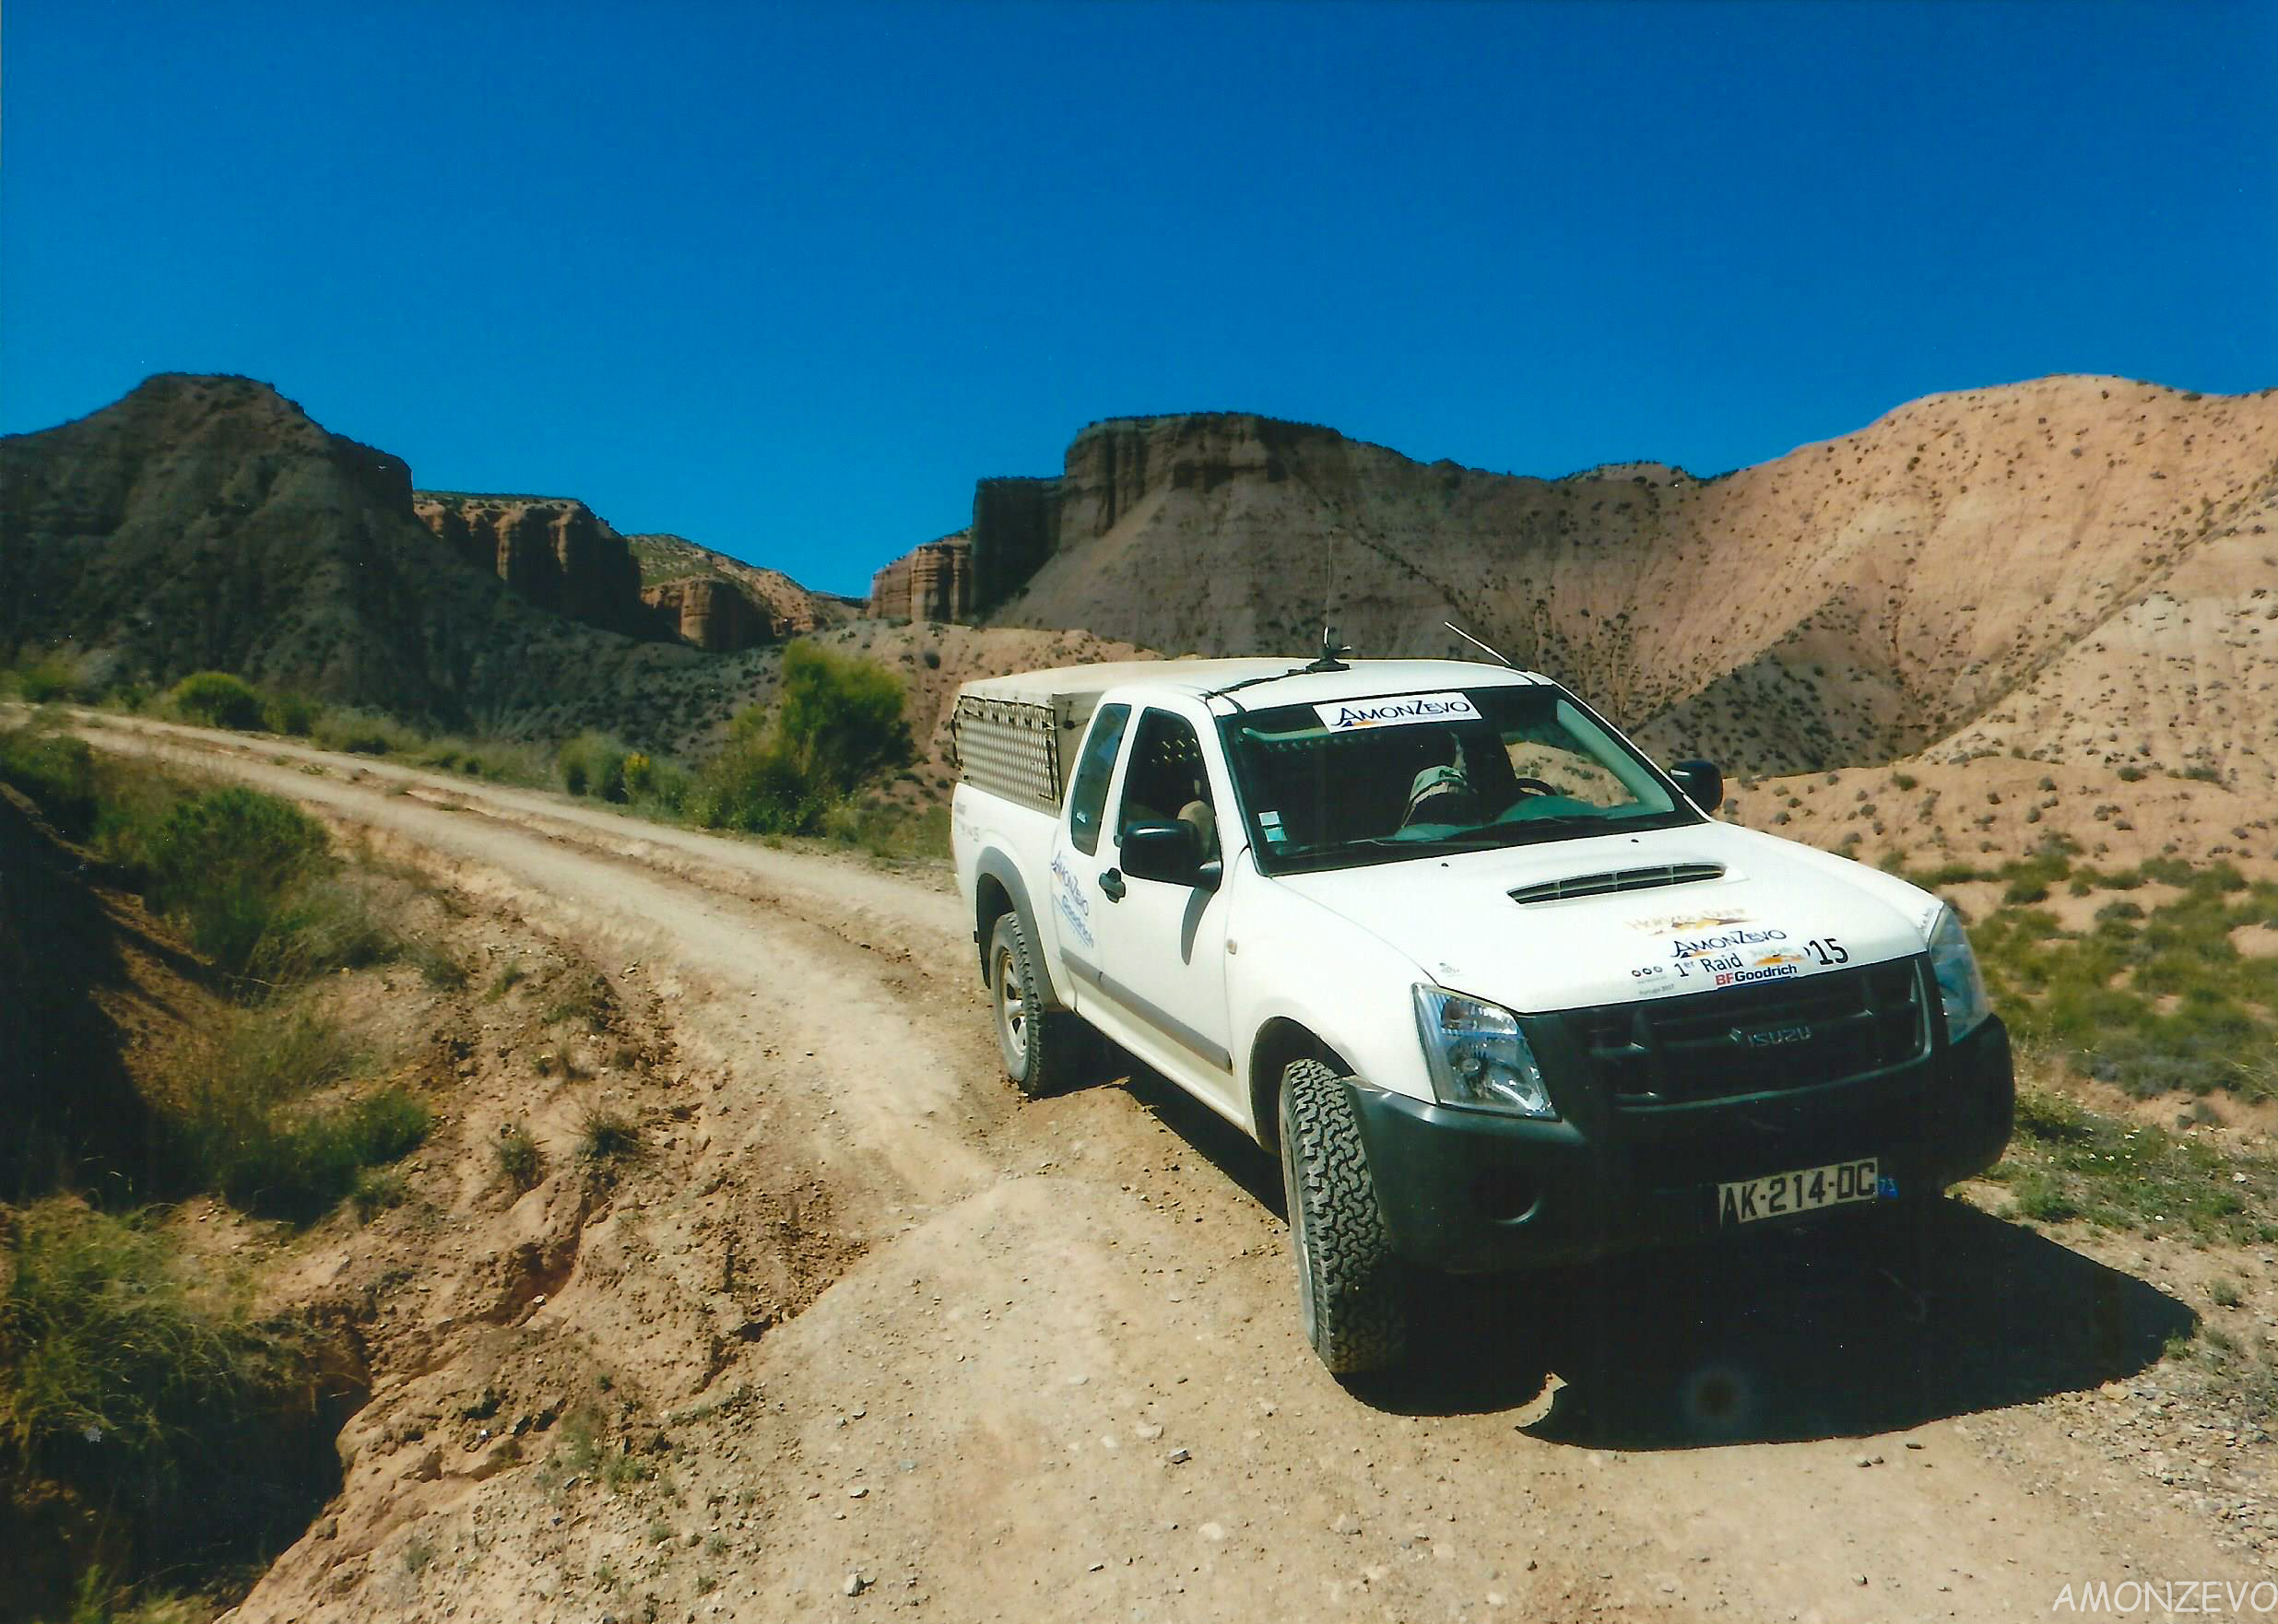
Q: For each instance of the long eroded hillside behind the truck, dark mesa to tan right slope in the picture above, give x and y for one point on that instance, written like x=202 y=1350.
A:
x=2076 y=568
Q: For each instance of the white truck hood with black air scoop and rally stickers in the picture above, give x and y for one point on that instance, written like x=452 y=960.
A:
x=1776 y=912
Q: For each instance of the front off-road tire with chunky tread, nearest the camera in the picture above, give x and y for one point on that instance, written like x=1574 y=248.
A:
x=1352 y=1288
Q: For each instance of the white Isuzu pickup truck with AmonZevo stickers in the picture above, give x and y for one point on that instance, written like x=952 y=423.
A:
x=1491 y=985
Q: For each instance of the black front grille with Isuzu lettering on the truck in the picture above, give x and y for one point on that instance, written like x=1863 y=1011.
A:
x=1757 y=1040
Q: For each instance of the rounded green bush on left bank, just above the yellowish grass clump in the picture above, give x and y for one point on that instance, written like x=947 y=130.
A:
x=229 y=864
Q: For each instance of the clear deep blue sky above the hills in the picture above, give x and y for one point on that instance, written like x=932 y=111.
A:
x=792 y=279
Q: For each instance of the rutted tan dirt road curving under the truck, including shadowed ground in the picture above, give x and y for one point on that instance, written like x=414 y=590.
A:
x=1056 y=1372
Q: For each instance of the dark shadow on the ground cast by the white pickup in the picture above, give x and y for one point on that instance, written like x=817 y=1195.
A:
x=1839 y=1329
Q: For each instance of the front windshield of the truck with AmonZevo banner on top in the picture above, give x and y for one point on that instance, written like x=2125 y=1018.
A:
x=1402 y=776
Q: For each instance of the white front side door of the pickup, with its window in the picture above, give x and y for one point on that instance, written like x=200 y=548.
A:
x=1158 y=983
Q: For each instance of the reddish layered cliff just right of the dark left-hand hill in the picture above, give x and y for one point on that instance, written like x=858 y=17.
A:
x=552 y=550
